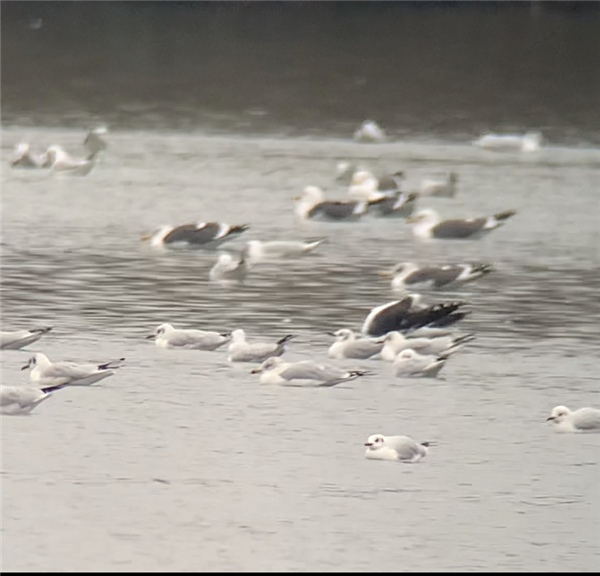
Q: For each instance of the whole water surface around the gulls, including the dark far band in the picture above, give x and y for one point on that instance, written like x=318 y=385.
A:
x=182 y=461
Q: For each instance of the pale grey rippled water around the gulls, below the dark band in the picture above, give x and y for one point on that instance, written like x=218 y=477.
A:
x=182 y=461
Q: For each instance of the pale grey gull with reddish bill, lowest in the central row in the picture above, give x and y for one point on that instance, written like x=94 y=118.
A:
x=277 y=371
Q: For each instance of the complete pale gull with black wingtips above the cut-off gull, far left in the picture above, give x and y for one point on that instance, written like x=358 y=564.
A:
x=45 y=373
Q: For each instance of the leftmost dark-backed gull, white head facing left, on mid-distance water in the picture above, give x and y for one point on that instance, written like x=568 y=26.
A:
x=198 y=235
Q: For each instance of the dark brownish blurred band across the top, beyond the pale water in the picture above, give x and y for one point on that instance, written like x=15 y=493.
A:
x=423 y=69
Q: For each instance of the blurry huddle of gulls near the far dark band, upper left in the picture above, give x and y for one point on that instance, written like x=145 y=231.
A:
x=60 y=161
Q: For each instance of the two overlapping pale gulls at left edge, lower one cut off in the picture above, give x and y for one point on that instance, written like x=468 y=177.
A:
x=47 y=377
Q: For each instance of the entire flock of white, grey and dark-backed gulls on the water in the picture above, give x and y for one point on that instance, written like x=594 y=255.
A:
x=417 y=338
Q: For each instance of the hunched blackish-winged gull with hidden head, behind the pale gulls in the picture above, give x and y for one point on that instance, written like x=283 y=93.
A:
x=409 y=314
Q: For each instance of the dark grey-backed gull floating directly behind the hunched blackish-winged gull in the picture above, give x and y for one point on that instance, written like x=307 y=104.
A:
x=408 y=275
